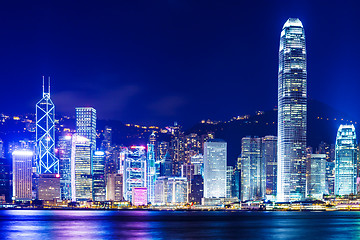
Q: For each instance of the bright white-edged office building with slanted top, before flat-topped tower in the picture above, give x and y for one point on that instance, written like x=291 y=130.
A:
x=81 y=169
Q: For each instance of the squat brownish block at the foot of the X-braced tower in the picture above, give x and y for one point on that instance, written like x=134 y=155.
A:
x=49 y=187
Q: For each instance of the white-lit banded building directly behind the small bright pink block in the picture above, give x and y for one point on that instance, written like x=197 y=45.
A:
x=134 y=170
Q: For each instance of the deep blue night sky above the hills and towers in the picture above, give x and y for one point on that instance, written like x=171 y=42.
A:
x=155 y=62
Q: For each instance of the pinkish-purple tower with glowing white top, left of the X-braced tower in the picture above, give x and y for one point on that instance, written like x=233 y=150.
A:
x=22 y=175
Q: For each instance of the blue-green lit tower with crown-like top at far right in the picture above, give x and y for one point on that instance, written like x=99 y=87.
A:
x=346 y=160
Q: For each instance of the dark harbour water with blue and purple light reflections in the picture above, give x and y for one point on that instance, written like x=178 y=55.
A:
x=65 y=224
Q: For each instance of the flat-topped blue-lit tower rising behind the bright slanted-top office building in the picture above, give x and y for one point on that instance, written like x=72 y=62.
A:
x=86 y=124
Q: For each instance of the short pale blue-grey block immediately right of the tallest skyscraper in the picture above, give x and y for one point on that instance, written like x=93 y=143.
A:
x=316 y=186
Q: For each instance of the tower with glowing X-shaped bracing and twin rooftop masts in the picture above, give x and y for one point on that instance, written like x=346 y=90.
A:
x=46 y=161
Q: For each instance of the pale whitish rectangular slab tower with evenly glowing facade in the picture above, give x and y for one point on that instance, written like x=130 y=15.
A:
x=215 y=162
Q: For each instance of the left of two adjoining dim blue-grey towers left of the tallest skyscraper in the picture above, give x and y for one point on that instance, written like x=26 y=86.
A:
x=253 y=177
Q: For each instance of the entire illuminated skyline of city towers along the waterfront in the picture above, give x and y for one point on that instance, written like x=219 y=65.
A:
x=185 y=167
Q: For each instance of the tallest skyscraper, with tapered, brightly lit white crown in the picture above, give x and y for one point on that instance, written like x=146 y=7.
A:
x=292 y=112
